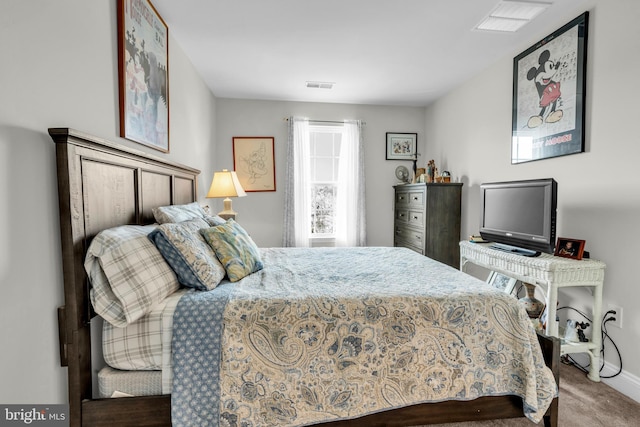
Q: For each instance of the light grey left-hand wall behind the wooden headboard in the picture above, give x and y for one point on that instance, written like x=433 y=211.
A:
x=59 y=69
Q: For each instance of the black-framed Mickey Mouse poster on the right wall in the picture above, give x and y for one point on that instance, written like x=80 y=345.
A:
x=549 y=88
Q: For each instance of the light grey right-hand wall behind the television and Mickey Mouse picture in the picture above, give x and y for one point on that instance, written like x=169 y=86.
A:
x=469 y=130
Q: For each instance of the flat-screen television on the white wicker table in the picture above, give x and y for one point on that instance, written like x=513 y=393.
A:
x=520 y=216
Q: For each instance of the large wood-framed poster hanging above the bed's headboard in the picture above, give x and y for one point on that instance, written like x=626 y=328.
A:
x=143 y=70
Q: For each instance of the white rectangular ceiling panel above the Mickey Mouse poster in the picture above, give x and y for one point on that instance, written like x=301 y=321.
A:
x=510 y=16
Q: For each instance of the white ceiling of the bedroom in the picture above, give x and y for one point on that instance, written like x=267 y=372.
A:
x=402 y=52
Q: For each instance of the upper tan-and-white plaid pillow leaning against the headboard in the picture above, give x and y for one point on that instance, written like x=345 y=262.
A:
x=128 y=274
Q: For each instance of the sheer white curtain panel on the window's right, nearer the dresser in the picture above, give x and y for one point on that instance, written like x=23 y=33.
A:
x=350 y=203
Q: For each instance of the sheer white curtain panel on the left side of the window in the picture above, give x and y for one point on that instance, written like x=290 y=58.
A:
x=297 y=216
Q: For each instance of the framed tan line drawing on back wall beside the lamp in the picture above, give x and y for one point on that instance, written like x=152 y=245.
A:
x=253 y=161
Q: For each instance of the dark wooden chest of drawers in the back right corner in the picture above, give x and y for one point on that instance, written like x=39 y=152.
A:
x=427 y=220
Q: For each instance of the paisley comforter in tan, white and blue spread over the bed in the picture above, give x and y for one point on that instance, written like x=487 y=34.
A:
x=327 y=334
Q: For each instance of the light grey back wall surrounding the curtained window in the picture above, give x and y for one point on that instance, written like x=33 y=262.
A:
x=262 y=213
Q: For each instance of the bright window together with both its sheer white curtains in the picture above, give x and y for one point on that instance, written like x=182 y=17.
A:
x=324 y=200
